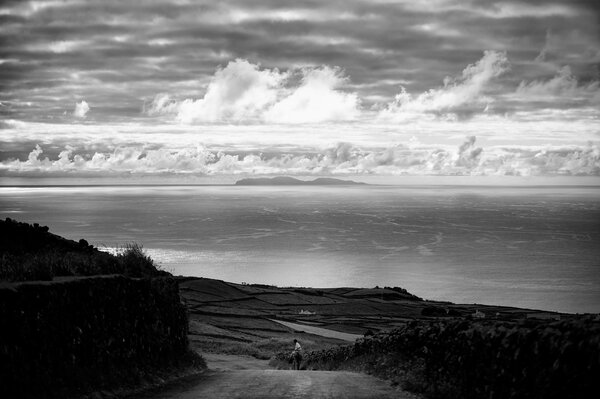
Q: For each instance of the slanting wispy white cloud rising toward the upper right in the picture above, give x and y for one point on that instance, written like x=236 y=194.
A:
x=465 y=91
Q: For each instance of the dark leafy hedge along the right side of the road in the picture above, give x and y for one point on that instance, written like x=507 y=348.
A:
x=477 y=359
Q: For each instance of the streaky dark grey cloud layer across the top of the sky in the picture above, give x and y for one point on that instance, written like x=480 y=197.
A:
x=118 y=55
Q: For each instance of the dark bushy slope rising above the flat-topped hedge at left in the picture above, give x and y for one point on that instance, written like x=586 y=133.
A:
x=31 y=252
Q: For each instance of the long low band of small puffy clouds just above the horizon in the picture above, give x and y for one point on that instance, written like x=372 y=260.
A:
x=342 y=159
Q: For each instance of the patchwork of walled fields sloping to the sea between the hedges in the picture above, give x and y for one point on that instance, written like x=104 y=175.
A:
x=261 y=320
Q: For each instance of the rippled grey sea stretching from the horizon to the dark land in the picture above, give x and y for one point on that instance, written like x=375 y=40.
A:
x=532 y=247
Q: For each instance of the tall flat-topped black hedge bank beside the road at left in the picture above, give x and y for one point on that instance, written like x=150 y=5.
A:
x=96 y=332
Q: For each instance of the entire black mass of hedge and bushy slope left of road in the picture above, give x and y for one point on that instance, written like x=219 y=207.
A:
x=123 y=328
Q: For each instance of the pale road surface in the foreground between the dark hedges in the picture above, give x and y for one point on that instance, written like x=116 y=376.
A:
x=288 y=384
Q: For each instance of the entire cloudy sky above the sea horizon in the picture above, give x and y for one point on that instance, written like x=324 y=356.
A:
x=371 y=88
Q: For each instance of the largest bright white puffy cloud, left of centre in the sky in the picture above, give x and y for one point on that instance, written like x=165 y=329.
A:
x=243 y=92
